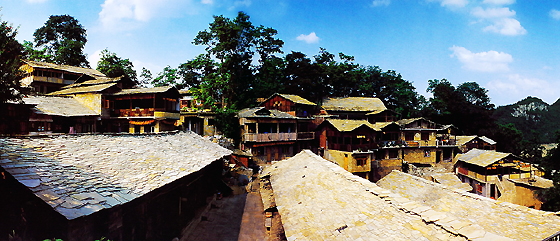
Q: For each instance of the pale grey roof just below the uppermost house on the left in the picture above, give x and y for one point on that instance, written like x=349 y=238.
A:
x=59 y=106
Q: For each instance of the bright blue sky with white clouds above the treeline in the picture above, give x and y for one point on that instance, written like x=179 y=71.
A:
x=510 y=47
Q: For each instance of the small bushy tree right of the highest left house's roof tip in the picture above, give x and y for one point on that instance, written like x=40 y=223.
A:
x=113 y=66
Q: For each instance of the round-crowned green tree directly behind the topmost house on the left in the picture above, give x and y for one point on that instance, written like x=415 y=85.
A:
x=63 y=38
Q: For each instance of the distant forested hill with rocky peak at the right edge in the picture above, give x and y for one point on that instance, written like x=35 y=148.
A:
x=536 y=119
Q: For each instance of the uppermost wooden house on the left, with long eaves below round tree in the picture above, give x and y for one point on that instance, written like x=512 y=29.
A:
x=46 y=77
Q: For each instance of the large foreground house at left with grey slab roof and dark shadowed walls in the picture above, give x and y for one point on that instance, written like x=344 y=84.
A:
x=85 y=187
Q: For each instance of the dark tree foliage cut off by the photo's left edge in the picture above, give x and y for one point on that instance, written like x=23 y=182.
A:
x=11 y=52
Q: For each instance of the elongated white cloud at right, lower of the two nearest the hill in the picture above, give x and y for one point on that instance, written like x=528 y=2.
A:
x=491 y=61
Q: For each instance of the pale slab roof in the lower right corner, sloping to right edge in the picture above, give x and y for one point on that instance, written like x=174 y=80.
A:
x=455 y=208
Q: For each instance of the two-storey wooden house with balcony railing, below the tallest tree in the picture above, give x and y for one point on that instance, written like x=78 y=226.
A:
x=271 y=135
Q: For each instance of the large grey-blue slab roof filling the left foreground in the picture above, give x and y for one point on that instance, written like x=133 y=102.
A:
x=80 y=175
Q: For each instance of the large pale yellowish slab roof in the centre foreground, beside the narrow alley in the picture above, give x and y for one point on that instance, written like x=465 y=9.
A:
x=318 y=200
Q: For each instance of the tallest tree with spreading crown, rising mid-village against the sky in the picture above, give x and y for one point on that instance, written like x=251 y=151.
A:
x=233 y=43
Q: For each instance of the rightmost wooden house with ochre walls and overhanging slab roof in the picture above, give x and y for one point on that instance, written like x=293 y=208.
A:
x=501 y=176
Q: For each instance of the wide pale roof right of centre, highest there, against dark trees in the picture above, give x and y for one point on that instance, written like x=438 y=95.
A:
x=353 y=104
